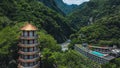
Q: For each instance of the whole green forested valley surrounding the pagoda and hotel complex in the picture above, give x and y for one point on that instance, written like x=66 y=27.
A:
x=60 y=27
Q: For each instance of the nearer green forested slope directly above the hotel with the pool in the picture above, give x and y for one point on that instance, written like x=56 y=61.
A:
x=105 y=31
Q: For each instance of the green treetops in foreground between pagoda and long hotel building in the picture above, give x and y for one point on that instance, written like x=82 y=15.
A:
x=69 y=59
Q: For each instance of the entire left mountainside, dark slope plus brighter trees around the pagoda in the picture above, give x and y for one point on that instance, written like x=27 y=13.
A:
x=52 y=26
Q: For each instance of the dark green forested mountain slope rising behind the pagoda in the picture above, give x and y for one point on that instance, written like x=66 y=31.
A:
x=32 y=10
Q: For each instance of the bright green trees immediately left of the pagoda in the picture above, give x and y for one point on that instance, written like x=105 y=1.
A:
x=9 y=37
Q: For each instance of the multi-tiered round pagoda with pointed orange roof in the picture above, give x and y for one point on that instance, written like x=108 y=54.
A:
x=28 y=50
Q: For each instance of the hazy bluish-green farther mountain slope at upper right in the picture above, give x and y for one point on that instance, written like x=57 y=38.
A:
x=92 y=11
